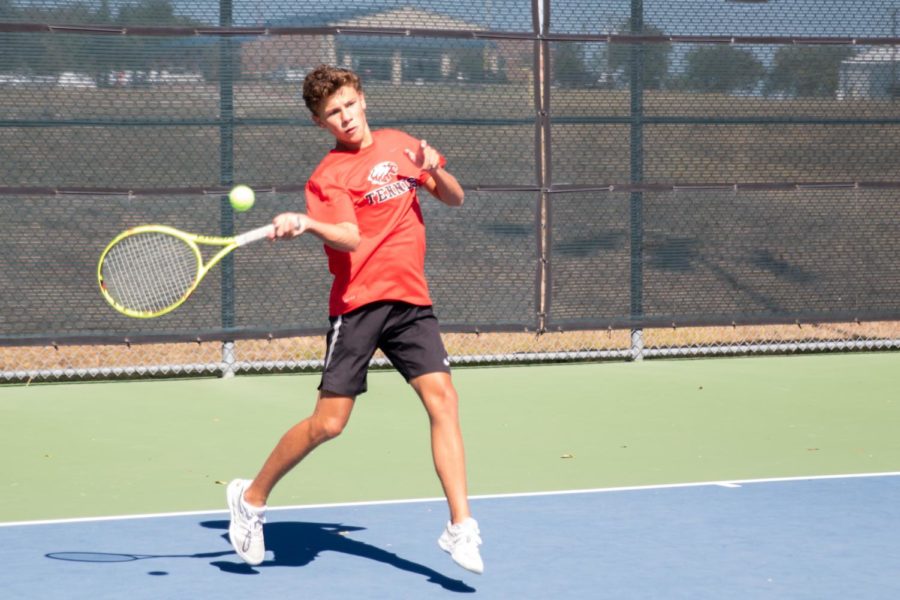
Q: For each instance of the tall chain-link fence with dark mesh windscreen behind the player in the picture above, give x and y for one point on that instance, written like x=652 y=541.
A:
x=644 y=178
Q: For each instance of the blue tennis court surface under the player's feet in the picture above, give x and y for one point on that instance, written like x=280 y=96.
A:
x=828 y=537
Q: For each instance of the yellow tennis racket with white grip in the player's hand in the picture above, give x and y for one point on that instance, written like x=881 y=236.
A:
x=150 y=270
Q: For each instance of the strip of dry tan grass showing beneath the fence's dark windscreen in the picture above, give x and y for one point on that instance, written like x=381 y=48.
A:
x=499 y=346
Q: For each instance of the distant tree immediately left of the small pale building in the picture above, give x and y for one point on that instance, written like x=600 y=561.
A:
x=807 y=70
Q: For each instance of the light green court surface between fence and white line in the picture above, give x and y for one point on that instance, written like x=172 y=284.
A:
x=135 y=447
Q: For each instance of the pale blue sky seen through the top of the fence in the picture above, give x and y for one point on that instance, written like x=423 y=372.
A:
x=677 y=17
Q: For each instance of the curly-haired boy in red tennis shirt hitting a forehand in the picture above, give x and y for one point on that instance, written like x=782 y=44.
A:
x=362 y=203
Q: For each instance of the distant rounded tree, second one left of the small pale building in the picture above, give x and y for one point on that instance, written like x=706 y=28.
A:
x=722 y=69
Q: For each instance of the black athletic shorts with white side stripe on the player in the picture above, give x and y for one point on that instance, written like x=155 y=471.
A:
x=408 y=335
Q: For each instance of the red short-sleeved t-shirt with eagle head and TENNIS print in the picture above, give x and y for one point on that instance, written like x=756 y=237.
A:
x=374 y=187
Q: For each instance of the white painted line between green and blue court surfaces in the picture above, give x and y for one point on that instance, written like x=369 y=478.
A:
x=728 y=483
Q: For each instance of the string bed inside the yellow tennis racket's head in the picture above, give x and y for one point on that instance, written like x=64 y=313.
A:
x=149 y=271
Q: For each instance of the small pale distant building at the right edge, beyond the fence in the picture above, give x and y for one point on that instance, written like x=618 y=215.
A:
x=872 y=74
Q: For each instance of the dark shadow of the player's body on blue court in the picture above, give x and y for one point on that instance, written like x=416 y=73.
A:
x=296 y=544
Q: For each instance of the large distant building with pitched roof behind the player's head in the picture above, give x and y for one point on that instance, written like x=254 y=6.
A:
x=381 y=57
